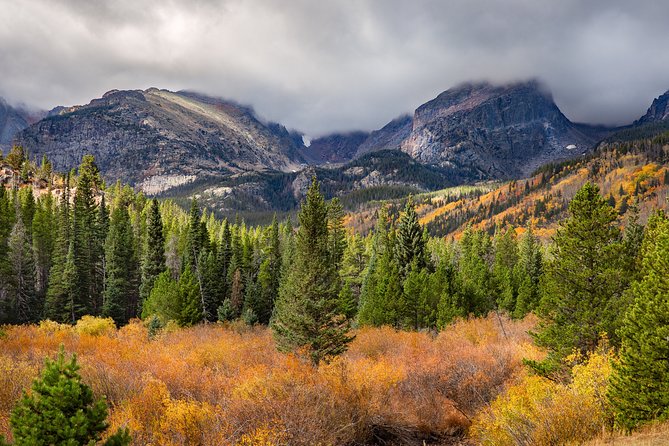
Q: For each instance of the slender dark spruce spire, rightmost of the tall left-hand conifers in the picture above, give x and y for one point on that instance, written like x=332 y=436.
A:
x=153 y=262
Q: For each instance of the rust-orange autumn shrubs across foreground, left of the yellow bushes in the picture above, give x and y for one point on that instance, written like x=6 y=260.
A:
x=226 y=384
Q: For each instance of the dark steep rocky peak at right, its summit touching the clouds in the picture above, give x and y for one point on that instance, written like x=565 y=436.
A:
x=499 y=131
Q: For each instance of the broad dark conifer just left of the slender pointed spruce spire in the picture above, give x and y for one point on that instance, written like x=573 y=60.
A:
x=121 y=281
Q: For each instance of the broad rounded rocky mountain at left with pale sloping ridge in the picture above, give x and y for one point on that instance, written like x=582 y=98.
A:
x=158 y=139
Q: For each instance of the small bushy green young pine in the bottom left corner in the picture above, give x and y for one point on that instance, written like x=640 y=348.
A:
x=61 y=410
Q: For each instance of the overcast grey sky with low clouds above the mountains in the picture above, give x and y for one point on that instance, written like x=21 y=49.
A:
x=321 y=66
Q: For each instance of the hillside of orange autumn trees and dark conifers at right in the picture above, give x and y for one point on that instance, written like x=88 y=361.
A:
x=627 y=170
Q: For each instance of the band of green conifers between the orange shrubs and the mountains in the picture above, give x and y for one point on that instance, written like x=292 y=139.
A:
x=112 y=252
